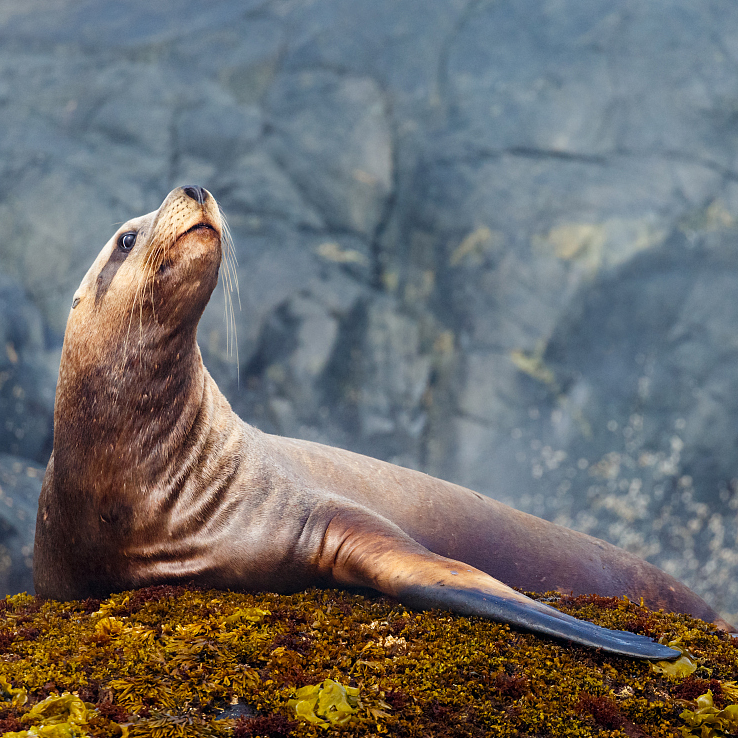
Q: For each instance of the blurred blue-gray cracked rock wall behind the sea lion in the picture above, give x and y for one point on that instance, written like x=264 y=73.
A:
x=492 y=240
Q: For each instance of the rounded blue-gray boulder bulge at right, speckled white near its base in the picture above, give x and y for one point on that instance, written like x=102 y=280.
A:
x=654 y=338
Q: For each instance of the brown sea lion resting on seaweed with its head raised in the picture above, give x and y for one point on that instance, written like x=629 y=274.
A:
x=153 y=478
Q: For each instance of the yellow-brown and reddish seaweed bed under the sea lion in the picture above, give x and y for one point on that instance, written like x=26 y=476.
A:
x=175 y=661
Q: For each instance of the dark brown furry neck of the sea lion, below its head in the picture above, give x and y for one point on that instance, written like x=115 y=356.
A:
x=117 y=421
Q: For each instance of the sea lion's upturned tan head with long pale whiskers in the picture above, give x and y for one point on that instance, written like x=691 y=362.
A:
x=154 y=275
